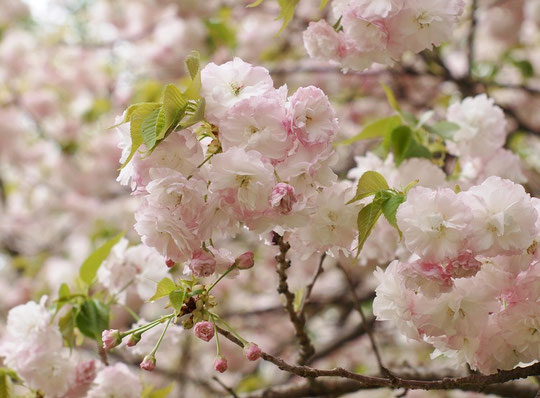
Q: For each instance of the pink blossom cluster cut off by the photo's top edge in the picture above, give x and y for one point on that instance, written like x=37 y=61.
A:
x=380 y=31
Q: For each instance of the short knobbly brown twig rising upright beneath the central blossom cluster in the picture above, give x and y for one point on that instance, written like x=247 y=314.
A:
x=298 y=320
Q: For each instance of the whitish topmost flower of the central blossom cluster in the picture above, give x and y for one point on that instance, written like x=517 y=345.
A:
x=225 y=85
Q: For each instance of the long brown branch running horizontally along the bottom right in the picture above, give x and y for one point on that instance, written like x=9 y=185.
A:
x=473 y=382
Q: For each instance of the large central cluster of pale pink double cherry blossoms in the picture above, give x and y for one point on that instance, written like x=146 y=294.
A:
x=262 y=159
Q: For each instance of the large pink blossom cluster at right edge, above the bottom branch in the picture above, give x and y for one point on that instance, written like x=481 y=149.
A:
x=470 y=285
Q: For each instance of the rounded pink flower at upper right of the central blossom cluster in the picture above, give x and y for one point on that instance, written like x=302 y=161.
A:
x=311 y=117
